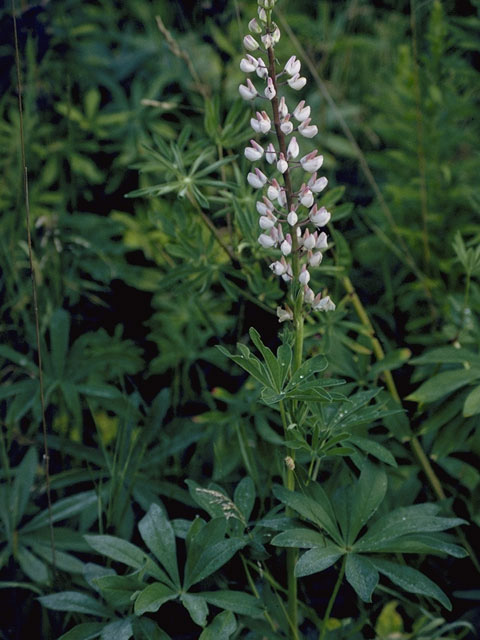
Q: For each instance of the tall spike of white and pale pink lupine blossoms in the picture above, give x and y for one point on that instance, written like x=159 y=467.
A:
x=290 y=219
